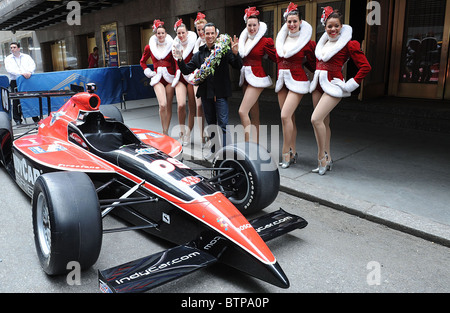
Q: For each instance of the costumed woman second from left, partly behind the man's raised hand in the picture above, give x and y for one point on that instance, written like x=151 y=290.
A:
x=184 y=41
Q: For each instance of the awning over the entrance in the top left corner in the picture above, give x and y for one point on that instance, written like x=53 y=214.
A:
x=37 y=14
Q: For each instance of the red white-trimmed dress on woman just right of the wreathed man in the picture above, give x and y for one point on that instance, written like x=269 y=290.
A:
x=252 y=51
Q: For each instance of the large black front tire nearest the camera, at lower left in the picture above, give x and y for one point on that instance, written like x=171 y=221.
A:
x=67 y=221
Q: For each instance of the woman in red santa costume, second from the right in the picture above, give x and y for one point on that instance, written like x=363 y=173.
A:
x=293 y=44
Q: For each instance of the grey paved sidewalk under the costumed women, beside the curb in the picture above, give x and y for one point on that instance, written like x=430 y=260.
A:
x=396 y=177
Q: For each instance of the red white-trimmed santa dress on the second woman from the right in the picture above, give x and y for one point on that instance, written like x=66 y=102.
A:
x=291 y=52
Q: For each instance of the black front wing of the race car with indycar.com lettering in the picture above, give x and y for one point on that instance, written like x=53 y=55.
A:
x=149 y=272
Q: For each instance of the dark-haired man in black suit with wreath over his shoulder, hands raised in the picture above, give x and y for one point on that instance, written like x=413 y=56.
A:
x=216 y=88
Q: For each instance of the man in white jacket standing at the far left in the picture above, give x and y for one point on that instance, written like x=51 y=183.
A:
x=18 y=64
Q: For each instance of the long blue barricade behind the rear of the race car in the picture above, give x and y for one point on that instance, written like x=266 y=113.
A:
x=112 y=83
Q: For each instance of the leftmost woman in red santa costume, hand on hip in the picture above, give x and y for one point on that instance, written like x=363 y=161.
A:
x=159 y=50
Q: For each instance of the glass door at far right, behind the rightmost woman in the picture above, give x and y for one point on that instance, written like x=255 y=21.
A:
x=420 y=52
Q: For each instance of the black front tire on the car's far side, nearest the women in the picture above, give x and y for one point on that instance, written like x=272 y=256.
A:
x=254 y=182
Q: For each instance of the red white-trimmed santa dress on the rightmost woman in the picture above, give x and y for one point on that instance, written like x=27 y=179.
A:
x=331 y=57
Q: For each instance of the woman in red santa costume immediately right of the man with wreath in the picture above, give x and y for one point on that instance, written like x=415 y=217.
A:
x=253 y=46
